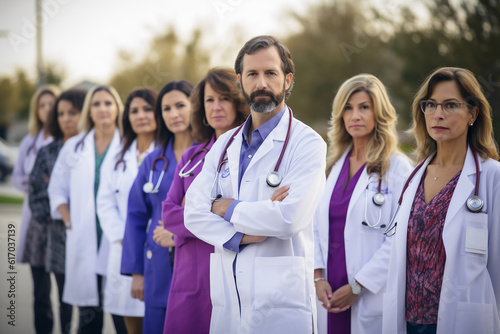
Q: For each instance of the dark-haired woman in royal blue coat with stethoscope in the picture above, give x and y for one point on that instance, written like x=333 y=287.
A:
x=147 y=262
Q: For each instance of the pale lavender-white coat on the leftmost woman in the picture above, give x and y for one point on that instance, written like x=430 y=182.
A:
x=28 y=149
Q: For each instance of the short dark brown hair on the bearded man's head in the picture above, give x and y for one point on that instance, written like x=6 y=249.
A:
x=264 y=42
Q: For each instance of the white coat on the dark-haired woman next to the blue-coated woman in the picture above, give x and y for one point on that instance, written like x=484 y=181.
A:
x=112 y=204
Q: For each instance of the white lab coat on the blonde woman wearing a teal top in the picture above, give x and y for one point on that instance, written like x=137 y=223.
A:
x=72 y=183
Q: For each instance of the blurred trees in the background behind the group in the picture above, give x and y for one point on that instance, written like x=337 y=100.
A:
x=399 y=43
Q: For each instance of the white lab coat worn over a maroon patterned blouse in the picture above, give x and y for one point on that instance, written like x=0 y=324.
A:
x=471 y=282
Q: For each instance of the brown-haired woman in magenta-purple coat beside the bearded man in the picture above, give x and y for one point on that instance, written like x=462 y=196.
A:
x=217 y=106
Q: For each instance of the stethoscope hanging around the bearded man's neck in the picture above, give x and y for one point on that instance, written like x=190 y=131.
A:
x=273 y=178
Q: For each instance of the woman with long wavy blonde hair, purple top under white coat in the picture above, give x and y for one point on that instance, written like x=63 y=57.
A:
x=363 y=168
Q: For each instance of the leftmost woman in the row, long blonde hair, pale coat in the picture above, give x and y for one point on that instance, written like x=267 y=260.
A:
x=42 y=103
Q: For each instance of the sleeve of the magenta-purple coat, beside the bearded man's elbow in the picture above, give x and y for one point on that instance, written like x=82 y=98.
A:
x=172 y=212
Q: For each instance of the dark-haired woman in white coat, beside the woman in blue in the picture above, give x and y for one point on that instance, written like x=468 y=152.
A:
x=117 y=176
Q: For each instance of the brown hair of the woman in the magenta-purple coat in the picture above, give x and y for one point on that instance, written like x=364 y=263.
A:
x=222 y=80
